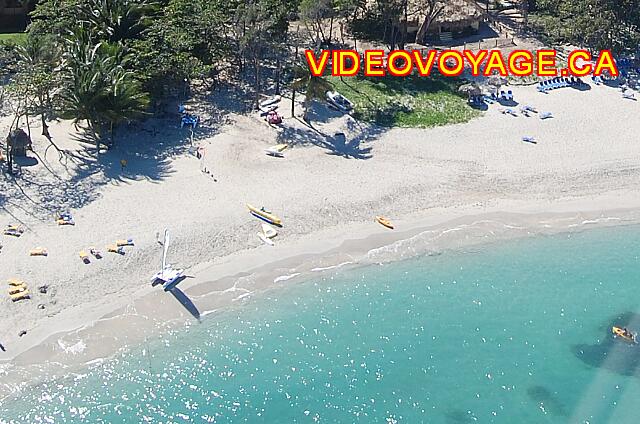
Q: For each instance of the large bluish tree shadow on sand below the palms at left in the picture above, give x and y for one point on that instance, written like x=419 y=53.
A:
x=76 y=177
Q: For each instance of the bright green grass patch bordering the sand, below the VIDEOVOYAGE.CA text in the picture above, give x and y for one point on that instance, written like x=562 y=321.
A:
x=411 y=101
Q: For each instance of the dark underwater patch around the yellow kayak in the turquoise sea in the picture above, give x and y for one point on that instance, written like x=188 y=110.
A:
x=613 y=354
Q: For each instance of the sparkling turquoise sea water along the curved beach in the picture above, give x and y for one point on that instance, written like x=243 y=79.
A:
x=515 y=332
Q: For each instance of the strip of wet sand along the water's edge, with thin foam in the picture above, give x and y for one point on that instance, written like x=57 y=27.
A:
x=124 y=323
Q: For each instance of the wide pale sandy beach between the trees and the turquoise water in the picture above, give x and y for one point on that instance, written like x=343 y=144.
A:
x=584 y=168
